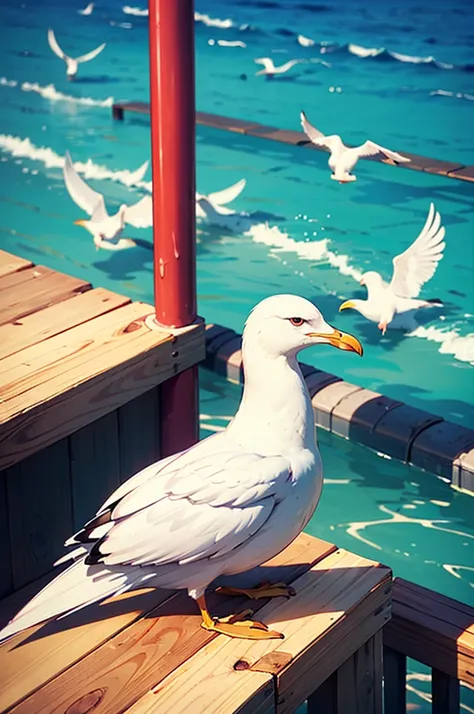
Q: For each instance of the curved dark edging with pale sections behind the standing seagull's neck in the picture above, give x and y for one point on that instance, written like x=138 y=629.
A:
x=412 y=435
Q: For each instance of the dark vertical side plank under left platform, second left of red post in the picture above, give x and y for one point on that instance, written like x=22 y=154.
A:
x=95 y=467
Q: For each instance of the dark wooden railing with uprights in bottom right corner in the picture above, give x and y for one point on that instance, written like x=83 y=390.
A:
x=432 y=629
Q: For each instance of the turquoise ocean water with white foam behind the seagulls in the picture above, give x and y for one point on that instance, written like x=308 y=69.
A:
x=401 y=73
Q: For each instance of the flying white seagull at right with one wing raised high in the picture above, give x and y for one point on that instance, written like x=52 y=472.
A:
x=411 y=269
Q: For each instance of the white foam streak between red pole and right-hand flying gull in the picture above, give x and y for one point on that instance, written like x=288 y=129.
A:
x=278 y=242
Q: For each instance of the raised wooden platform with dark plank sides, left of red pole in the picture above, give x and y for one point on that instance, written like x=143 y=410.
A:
x=80 y=380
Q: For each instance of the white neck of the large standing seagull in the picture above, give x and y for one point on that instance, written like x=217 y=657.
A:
x=276 y=410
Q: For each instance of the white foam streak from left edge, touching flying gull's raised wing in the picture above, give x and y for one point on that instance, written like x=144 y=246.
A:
x=24 y=148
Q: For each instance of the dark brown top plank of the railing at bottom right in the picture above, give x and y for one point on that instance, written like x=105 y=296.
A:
x=433 y=630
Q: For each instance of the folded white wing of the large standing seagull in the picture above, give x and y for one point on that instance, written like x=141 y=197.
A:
x=190 y=509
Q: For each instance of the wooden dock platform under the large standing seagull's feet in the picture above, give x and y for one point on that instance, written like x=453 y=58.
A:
x=147 y=654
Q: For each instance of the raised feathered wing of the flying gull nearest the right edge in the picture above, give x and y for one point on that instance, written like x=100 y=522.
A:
x=416 y=265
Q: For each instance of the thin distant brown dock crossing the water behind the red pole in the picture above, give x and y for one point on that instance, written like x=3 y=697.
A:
x=451 y=169
